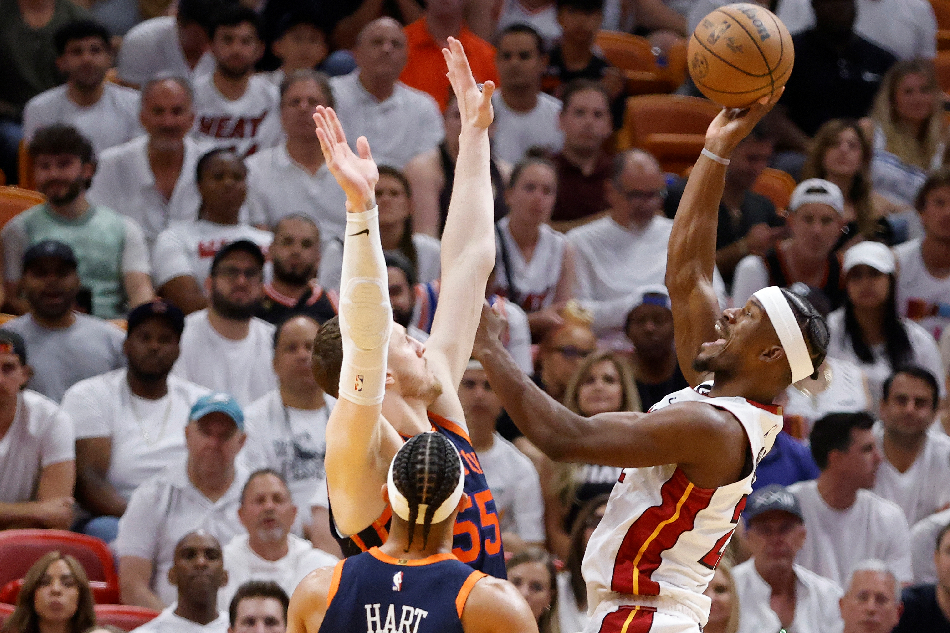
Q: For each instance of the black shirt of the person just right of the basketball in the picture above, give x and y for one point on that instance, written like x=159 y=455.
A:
x=826 y=85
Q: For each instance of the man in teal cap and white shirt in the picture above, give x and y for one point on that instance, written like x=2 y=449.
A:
x=202 y=492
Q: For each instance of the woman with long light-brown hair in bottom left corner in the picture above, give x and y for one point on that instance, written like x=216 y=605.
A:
x=55 y=598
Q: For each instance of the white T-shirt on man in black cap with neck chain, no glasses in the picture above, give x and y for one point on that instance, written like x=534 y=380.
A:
x=146 y=435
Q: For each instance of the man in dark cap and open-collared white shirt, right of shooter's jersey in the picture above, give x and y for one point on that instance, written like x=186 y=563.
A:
x=774 y=592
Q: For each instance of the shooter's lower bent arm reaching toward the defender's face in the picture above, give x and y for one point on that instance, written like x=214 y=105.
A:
x=627 y=440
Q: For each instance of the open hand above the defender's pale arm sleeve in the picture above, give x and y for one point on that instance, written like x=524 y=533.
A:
x=357 y=175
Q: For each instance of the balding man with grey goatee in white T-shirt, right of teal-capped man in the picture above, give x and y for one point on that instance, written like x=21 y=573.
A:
x=268 y=551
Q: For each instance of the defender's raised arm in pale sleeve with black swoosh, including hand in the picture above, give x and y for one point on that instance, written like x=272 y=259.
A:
x=360 y=442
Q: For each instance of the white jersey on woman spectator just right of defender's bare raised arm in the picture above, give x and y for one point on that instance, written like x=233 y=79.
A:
x=535 y=281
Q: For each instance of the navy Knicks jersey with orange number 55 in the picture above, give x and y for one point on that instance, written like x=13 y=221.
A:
x=477 y=540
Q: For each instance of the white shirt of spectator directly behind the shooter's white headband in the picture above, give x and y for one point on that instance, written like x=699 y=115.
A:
x=847 y=392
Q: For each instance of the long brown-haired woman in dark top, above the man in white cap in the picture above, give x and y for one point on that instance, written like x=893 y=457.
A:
x=841 y=153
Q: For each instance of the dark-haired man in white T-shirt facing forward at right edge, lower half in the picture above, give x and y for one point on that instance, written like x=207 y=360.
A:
x=915 y=471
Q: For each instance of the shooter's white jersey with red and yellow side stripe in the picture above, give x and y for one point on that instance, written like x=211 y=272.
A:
x=661 y=536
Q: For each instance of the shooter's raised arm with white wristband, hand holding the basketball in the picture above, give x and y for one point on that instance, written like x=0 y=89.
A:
x=691 y=258
